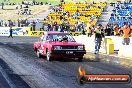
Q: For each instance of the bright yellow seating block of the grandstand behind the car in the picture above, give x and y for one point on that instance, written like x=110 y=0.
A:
x=88 y=13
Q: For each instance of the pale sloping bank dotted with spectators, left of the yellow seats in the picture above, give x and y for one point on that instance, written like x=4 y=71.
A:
x=23 y=9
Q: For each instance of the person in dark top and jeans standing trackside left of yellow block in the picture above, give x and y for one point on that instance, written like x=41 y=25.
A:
x=98 y=38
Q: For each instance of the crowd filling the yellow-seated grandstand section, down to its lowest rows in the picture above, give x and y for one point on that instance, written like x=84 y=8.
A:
x=74 y=17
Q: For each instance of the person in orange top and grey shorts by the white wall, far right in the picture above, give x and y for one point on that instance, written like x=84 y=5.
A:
x=126 y=32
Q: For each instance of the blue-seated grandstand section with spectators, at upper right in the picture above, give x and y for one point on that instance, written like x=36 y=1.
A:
x=121 y=13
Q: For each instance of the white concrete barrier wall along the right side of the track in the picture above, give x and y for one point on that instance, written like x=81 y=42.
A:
x=123 y=50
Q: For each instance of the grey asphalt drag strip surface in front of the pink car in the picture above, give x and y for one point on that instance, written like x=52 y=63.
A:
x=37 y=72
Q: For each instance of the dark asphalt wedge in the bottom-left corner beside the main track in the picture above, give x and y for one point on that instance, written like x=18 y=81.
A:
x=13 y=80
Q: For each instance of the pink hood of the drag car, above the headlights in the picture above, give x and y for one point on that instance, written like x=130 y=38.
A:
x=65 y=43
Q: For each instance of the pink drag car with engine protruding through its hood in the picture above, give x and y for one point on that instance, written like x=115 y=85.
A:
x=59 y=45
